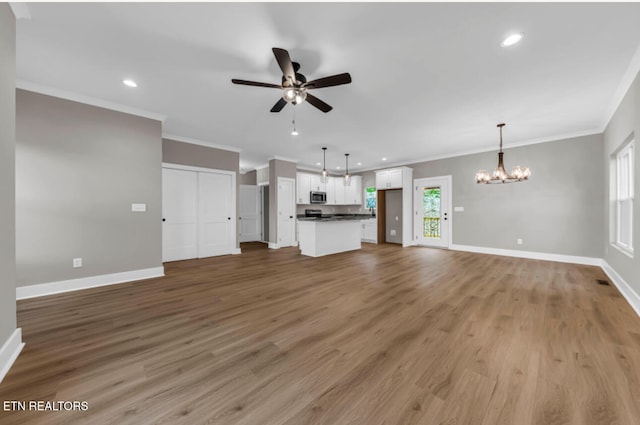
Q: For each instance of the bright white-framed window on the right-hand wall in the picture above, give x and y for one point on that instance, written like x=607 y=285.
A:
x=624 y=198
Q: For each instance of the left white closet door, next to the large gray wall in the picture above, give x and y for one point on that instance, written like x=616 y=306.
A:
x=179 y=214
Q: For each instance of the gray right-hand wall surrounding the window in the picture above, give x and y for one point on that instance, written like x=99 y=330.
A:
x=625 y=121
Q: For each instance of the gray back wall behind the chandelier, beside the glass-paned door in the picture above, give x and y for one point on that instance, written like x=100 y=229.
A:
x=558 y=211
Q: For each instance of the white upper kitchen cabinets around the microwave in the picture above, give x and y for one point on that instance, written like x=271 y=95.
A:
x=337 y=192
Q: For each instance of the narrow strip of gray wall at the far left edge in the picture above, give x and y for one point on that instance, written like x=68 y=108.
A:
x=7 y=172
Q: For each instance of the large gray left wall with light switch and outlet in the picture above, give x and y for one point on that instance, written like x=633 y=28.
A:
x=78 y=170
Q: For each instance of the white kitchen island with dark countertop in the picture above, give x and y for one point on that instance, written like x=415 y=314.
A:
x=329 y=234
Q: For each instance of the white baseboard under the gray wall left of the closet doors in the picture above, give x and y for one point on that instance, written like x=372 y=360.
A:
x=39 y=290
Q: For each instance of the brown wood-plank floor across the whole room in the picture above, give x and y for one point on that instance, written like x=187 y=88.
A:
x=384 y=335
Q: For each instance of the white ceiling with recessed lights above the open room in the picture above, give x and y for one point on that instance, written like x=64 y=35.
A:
x=429 y=79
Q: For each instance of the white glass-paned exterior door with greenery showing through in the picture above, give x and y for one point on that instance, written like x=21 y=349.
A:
x=432 y=209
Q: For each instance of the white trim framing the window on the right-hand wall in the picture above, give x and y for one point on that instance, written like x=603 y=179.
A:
x=627 y=149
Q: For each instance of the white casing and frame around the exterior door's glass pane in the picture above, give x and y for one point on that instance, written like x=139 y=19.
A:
x=443 y=238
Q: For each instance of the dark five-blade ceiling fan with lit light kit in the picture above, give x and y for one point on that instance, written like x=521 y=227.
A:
x=295 y=86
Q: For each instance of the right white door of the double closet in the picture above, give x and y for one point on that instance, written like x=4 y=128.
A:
x=216 y=214
